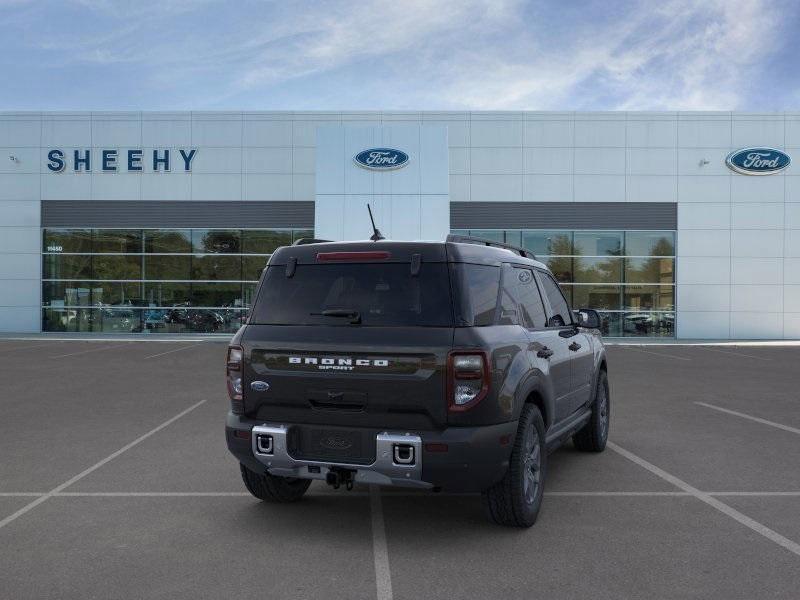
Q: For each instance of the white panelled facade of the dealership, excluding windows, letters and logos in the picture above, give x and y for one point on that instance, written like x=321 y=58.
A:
x=738 y=240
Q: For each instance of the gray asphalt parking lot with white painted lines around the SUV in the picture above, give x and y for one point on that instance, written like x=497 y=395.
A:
x=115 y=482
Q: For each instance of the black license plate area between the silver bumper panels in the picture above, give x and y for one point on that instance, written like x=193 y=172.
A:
x=332 y=444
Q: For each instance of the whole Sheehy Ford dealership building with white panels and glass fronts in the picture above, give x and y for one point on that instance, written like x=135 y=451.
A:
x=671 y=224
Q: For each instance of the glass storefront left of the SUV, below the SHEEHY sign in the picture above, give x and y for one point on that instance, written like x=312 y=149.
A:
x=153 y=280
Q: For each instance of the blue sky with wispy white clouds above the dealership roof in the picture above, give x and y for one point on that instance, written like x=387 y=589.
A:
x=400 y=54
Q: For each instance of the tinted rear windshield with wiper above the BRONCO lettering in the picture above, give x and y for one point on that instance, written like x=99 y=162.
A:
x=382 y=295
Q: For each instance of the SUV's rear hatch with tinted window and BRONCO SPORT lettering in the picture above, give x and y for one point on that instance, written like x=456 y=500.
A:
x=351 y=335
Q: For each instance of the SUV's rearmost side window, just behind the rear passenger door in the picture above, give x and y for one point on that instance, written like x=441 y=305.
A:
x=477 y=287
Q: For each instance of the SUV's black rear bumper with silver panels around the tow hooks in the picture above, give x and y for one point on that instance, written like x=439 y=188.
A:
x=464 y=459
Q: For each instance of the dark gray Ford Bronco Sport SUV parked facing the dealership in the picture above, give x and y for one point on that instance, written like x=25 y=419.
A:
x=455 y=365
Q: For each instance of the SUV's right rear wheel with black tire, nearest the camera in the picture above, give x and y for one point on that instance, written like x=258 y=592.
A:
x=516 y=499
